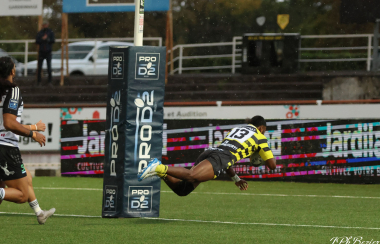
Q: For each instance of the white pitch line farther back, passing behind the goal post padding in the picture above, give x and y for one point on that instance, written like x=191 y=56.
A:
x=217 y=193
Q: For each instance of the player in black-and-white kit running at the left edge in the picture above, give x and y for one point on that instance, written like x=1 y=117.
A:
x=13 y=173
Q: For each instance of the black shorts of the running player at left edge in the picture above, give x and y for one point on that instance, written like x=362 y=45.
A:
x=11 y=166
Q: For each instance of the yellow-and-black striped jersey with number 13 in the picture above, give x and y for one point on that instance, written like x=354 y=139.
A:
x=243 y=141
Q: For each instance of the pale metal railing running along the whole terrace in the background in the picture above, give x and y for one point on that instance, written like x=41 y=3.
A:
x=229 y=52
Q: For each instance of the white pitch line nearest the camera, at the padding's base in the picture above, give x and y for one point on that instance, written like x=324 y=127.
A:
x=213 y=222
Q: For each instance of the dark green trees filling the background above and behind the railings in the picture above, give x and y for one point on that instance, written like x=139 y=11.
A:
x=198 y=21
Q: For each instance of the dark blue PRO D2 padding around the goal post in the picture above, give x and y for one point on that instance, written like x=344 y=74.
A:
x=135 y=99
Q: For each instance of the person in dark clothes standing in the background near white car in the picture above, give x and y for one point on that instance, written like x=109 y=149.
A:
x=45 y=39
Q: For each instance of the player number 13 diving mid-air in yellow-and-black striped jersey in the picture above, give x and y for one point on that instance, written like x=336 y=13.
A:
x=241 y=142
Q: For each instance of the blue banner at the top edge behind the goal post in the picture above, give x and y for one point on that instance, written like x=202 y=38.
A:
x=101 y=6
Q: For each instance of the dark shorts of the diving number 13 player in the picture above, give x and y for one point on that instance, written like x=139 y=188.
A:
x=218 y=158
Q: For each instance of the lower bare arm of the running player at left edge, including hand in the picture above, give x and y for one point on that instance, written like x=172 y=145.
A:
x=11 y=124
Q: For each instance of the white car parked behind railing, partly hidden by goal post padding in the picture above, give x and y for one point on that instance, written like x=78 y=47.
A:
x=84 y=59
